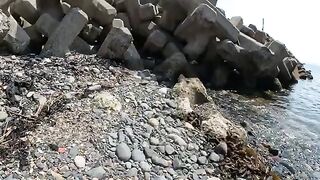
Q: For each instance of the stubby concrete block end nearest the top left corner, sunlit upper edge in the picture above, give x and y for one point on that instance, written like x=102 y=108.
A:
x=26 y=9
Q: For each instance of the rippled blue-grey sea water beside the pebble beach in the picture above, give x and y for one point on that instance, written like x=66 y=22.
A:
x=289 y=121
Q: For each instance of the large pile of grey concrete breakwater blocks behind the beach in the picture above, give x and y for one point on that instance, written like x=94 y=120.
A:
x=170 y=37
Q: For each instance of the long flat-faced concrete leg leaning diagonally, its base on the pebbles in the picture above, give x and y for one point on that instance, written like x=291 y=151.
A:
x=63 y=36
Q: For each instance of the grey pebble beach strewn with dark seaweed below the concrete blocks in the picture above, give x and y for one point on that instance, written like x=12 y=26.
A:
x=82 y=117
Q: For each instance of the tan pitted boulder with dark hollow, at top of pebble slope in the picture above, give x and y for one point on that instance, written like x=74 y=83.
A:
x=191 y=88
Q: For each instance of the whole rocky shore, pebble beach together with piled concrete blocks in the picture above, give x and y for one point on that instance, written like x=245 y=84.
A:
x=95 y=89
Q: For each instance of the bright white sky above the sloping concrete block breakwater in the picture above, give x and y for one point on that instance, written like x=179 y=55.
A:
x=296 y=23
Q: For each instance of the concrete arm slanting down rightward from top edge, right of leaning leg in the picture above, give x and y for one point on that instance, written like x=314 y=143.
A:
x=99 y=10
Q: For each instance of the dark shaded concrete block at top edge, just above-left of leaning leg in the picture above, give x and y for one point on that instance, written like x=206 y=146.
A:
x=52 y=7
